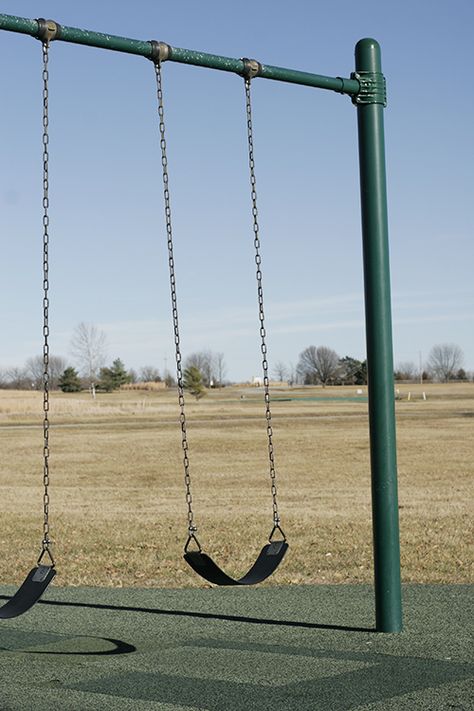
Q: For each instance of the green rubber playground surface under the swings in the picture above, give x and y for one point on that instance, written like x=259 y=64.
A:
x=307 y=648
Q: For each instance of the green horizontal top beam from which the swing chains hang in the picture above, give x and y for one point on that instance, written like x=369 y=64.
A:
x=75 y=35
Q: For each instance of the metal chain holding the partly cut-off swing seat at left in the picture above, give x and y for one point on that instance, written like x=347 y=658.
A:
x=46 y=542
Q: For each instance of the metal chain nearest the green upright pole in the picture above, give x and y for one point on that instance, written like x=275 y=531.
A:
x=261 y=314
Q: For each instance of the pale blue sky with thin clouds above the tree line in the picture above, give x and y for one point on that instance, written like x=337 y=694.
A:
x=108 y=246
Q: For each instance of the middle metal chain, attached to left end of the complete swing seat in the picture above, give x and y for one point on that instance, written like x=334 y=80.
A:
x=192 y=528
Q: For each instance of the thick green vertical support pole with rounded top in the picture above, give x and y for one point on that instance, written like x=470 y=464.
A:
x=370 y=102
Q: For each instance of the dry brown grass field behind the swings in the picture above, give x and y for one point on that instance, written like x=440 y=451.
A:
x=118 y=511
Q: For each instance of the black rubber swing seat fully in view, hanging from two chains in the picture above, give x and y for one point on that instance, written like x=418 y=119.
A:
x=267 y=562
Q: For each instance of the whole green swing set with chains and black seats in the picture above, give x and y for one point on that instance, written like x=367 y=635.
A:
x=366 y=86
